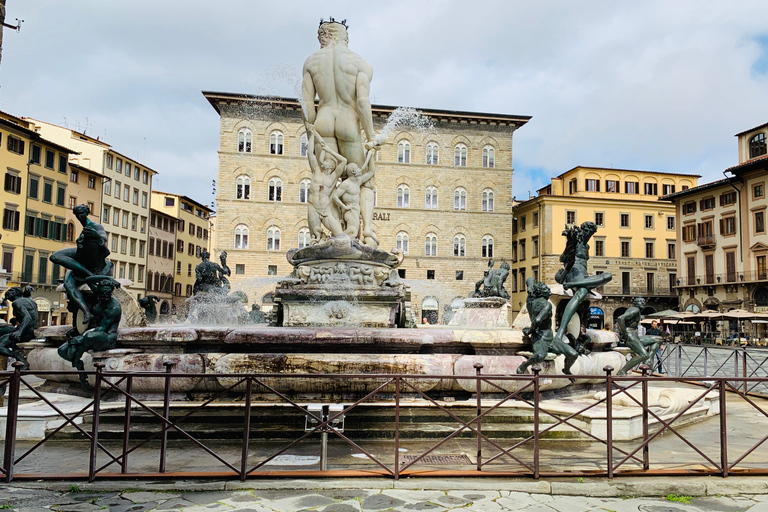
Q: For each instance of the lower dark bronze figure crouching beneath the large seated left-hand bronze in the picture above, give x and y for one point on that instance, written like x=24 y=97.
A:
x=102 y=328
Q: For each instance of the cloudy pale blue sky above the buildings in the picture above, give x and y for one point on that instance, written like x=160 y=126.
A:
x=658 y=85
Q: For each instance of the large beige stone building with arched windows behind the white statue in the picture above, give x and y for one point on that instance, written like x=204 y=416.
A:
x=444 y=195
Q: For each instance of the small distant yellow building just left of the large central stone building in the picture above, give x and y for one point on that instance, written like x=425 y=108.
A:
x=192 y=236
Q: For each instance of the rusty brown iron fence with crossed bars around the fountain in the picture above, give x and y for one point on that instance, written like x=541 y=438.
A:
x=534 y=454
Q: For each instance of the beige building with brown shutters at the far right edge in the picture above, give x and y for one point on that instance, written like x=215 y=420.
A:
x=722 y=234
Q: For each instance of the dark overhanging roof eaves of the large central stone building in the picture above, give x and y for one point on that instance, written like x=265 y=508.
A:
x=294 y=104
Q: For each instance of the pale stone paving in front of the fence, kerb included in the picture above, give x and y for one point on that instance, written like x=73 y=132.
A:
x=595 y=495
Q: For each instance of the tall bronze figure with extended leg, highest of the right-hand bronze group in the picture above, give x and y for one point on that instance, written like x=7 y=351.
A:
x=574 y=275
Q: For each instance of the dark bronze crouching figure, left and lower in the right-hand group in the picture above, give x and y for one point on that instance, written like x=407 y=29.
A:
x=540 y=330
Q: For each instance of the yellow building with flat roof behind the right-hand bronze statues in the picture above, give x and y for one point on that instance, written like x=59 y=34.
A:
x=635 y=241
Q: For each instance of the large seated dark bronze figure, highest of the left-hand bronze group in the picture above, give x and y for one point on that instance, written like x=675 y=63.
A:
x=88 y=259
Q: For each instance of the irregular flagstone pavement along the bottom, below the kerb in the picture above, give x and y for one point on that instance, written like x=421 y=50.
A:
x=25 y=499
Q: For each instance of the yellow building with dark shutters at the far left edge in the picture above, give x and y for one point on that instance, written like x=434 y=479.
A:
x=34 y=212
